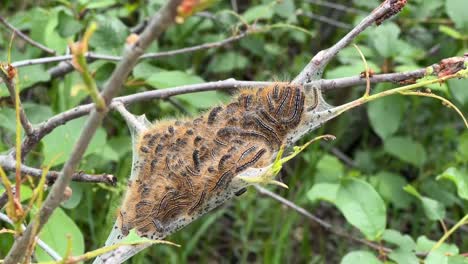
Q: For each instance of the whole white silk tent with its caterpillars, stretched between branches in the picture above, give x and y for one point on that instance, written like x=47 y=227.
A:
x=184 y=168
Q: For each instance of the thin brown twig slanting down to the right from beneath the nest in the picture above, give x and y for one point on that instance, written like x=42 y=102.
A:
x=327 y=226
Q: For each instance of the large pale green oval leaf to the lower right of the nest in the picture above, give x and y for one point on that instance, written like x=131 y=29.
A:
x=362 y=207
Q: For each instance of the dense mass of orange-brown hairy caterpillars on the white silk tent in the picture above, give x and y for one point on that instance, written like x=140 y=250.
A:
x=186 y=164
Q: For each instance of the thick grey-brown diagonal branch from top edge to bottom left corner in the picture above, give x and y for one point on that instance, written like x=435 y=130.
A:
x=160 y=21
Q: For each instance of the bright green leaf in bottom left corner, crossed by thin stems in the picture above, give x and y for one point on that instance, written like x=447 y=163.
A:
x=55 y=234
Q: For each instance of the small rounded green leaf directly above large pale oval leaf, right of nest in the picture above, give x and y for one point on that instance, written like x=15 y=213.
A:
x=329 y=169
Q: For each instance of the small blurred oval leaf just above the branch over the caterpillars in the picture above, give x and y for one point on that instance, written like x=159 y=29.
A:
x=228 y=62
